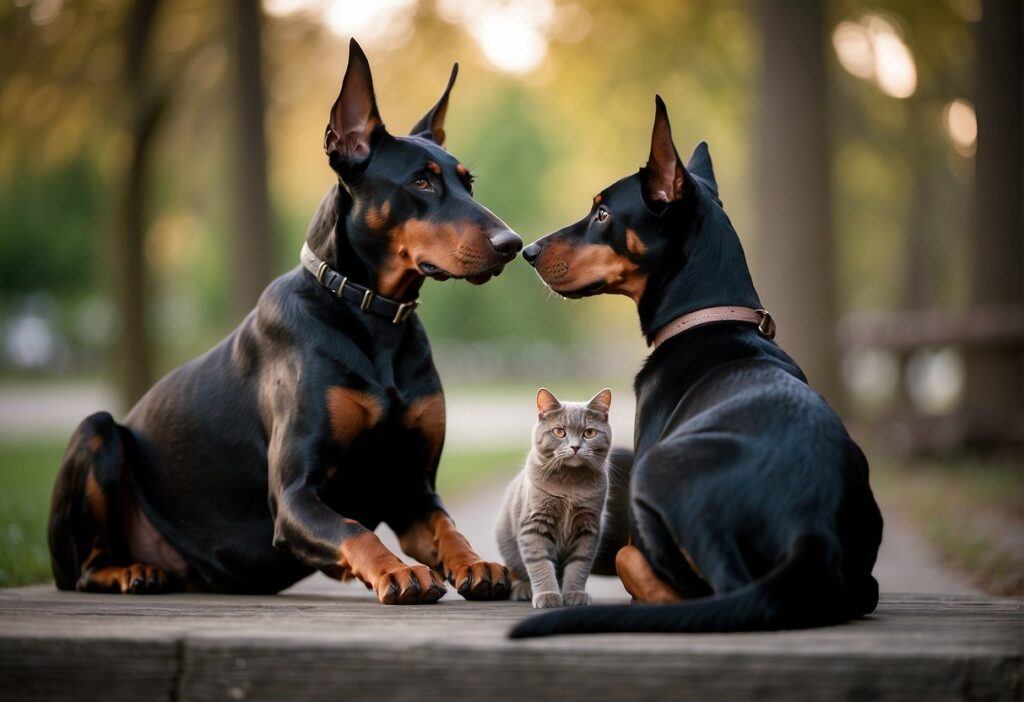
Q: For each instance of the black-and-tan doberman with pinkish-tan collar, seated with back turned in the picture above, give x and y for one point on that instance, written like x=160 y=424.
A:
x=748 y=494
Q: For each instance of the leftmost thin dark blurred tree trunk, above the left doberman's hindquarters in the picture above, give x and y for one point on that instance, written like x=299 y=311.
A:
x=145 y=108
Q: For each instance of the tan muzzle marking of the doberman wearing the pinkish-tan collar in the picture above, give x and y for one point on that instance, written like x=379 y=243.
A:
x=567 y=268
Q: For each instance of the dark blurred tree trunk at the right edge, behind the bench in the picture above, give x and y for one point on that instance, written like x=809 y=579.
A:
x=996 y=378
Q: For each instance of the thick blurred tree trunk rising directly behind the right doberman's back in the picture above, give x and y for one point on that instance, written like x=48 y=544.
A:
x=797 y=275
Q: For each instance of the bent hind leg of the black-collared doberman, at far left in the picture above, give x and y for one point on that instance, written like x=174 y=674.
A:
x=89 y=547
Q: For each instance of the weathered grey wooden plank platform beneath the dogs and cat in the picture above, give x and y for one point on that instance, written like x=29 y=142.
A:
x=315 y=647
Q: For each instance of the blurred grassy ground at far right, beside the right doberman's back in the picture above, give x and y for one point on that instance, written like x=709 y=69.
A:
x=971 y=512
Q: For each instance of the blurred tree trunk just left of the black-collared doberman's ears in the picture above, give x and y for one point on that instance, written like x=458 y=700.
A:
x=252 y=244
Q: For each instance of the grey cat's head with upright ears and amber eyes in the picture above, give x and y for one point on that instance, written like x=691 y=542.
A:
x=573 y=434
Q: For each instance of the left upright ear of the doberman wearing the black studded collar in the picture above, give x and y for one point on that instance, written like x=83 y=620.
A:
x=355 y=115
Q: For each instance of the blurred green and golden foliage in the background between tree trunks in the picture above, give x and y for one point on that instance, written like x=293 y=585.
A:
x=541 y=144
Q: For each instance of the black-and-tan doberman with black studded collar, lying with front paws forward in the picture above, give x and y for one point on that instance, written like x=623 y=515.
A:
x=280 y=451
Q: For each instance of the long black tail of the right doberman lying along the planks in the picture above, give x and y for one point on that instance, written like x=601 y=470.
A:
x=804 y=591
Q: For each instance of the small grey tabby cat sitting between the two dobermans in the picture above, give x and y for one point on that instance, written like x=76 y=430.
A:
x=549 y=525
